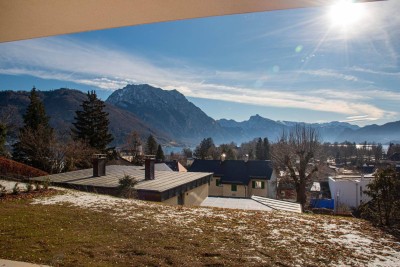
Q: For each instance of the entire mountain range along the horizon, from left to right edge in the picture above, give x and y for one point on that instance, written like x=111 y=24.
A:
x=175 y=121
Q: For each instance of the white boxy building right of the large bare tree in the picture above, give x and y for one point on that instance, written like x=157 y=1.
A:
x=348 y=190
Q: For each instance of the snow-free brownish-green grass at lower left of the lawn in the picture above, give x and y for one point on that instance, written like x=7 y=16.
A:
x=65 y=235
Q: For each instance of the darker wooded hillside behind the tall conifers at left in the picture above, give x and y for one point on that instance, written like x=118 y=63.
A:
x=61 y=105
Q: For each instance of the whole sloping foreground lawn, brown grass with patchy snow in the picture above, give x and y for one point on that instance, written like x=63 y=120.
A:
x=129 y=232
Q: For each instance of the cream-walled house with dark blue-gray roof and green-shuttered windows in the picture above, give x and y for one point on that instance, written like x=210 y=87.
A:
x=238 y=178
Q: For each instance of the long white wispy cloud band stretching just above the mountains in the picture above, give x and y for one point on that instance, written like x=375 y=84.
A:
x=66 y=59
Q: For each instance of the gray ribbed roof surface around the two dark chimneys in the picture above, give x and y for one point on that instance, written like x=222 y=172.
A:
x=164 y=180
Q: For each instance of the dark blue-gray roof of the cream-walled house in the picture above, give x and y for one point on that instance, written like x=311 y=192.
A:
x=235 y=171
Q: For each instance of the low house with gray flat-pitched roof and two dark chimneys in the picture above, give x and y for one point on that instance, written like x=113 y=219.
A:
x=167 y=186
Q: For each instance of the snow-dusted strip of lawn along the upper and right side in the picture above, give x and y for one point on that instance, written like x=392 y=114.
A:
x=306 y=239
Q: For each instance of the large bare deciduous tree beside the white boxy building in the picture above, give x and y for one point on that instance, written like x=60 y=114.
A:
x=294 y=153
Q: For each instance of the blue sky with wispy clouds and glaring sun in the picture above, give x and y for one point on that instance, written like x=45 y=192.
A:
x=312 y=65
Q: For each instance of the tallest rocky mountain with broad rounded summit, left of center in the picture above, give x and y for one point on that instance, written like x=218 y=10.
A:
x=168 y=112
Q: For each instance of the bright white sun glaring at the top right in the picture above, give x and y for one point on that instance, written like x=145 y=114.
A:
x=346 y=14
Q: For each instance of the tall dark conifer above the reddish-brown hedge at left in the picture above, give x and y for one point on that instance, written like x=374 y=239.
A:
x=36 y=137
